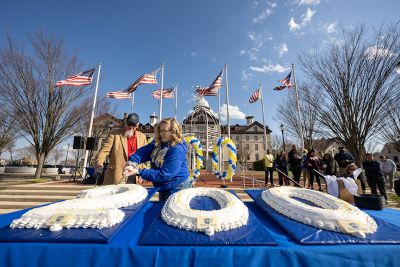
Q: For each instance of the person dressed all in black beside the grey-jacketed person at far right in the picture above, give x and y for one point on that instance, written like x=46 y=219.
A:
x=374 y=174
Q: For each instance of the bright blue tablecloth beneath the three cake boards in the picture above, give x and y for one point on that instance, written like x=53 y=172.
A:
x=124 y=250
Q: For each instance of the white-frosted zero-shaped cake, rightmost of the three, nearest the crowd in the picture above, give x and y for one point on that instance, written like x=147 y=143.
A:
x=331 y=214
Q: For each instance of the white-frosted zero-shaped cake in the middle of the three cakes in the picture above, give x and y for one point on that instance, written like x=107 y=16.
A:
x=177 y=211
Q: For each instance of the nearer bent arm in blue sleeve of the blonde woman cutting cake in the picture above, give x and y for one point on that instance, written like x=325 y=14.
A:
x=171 y=167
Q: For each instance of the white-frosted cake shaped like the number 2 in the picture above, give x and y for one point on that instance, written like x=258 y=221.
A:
x=93 y=208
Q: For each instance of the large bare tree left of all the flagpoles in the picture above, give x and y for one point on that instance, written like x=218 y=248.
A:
x=45 y=114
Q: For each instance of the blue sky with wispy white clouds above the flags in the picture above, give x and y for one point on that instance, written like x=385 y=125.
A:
x=259 y=40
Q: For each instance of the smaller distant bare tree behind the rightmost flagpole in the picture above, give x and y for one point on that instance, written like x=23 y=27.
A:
x=288 y=114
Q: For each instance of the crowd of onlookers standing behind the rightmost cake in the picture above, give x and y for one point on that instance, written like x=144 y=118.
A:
x=310 y=166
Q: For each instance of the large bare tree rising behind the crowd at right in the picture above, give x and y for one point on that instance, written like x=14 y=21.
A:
x=355 y=80
